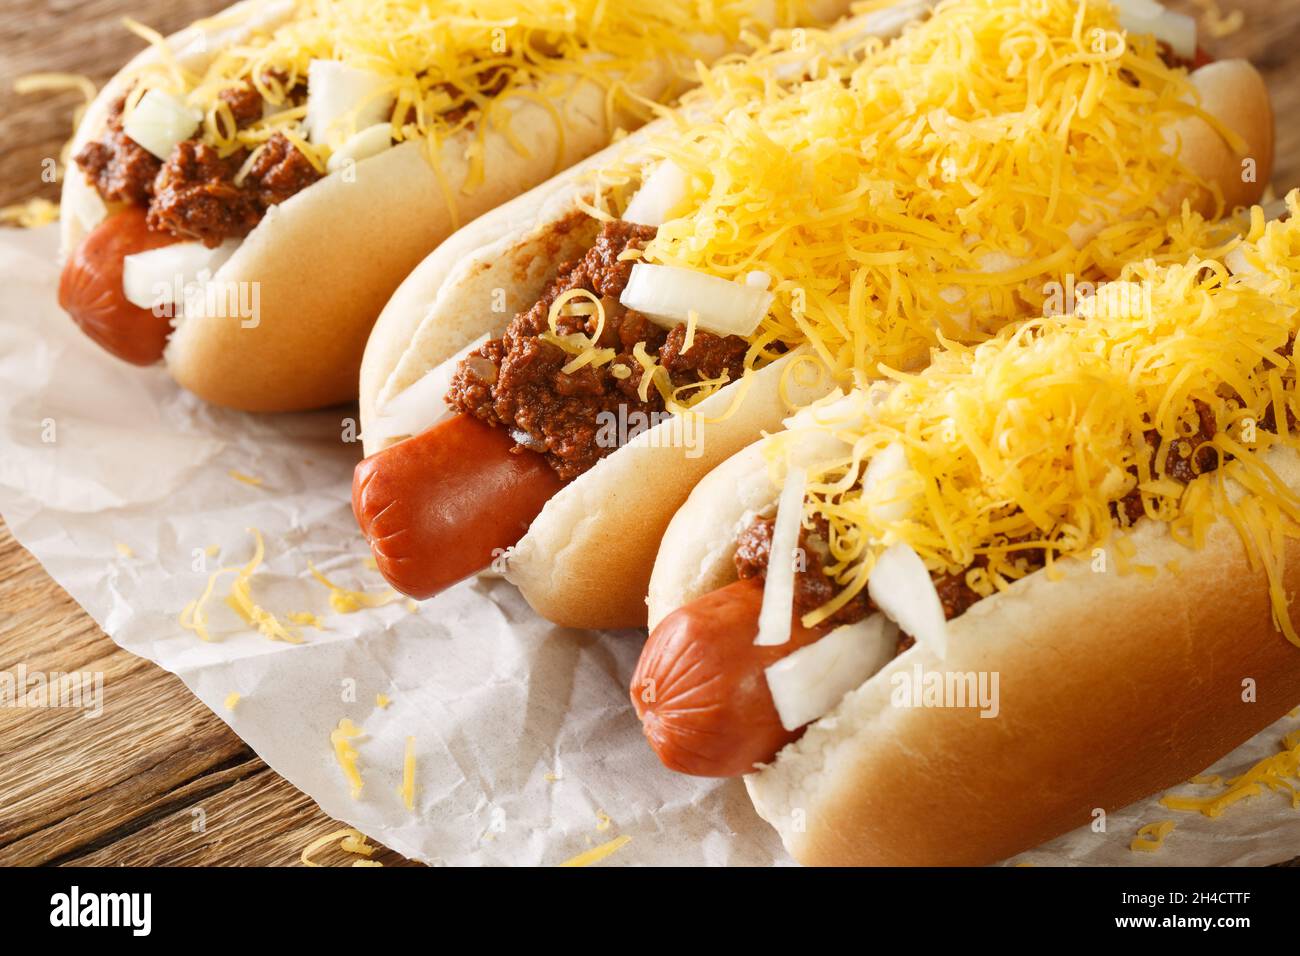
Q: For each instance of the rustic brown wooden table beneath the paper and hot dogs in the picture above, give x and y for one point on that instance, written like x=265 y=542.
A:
x=133 y=786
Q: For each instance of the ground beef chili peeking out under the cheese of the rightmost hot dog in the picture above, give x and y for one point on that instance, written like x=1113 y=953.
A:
x=1191 y=456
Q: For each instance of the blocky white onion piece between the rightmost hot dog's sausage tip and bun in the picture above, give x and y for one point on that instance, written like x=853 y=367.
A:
x=811 y=682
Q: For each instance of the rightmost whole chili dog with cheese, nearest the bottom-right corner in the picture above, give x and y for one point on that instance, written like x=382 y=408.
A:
x=1100 y=509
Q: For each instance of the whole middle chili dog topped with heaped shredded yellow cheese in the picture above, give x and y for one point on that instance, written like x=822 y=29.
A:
x=809 y=215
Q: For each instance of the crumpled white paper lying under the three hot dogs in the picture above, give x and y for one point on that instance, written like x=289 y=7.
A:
x=527 y=749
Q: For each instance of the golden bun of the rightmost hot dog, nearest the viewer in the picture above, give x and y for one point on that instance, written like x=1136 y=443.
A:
x=1112 y=687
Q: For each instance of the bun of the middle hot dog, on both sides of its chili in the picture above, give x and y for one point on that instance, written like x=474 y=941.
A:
x=587 y=559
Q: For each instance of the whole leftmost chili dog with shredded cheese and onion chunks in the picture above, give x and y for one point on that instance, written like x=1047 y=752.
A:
x=250 y=192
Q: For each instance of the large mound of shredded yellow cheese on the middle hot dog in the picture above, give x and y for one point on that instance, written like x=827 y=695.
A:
x=929 y=185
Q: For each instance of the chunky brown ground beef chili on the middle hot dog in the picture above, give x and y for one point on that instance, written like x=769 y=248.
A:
x=517 y=382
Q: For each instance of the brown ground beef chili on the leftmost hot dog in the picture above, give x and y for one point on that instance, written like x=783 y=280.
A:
x=194 y=194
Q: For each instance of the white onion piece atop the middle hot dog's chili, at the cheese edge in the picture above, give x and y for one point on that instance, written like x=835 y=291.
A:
x=669 y=295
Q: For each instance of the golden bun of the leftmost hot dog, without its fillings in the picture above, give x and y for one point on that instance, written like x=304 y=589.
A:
x=328 y=259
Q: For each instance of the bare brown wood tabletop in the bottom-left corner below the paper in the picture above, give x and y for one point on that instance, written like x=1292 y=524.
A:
x=155 y=780
